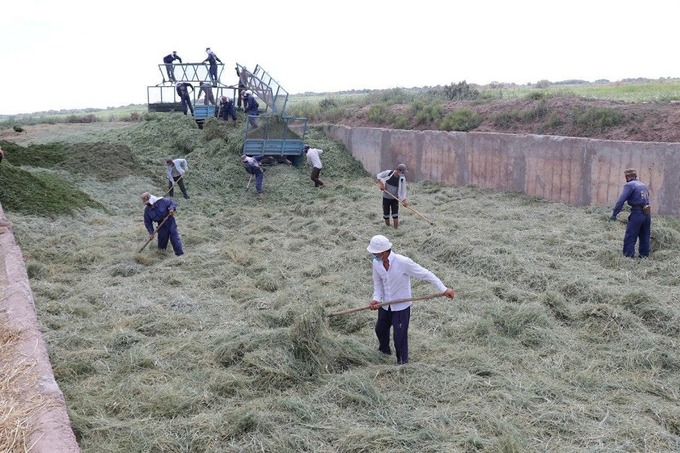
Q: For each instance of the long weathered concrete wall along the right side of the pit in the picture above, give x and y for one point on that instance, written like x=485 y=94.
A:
x=576 y=171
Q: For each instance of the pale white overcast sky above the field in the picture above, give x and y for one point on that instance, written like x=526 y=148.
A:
x=76 y=54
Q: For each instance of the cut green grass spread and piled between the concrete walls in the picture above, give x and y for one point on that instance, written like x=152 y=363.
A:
x=554 y=342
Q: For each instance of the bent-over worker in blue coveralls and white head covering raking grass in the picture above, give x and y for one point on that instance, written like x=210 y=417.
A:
x=162 y=211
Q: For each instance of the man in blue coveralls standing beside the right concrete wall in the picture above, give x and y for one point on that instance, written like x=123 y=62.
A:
x=639 y=225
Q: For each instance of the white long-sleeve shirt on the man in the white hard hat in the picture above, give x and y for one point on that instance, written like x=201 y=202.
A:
x=396 y=283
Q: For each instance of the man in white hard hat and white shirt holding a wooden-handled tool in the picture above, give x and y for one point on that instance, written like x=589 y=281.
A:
x=392 y=274
